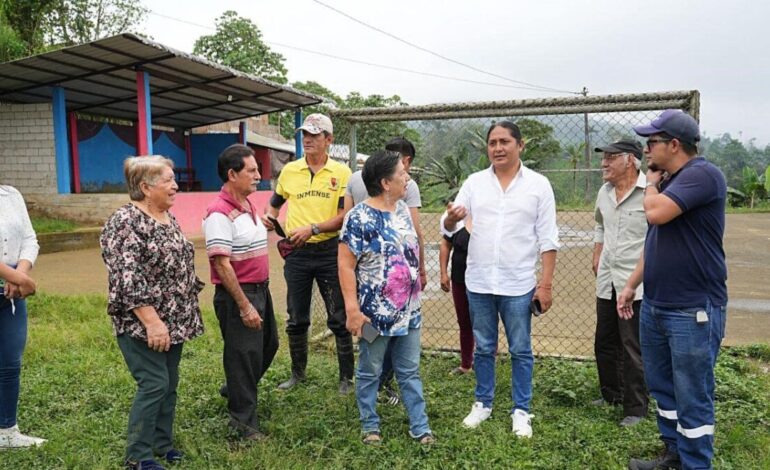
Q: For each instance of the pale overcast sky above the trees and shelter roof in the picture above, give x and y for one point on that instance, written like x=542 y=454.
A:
x=721 y=48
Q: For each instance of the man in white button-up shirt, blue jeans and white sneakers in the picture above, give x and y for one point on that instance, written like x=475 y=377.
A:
x=514 y=220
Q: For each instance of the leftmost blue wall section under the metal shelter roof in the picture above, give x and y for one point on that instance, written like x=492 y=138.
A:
x=101 y=162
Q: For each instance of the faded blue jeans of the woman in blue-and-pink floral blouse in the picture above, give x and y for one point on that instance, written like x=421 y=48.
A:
x=406 y=364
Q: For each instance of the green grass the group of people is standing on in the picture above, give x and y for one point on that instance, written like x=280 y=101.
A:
x=76 y=392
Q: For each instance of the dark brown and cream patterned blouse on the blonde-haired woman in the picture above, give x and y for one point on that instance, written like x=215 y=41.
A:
x=150 y=263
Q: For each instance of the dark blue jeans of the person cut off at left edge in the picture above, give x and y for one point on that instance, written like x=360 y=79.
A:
x=13 y=337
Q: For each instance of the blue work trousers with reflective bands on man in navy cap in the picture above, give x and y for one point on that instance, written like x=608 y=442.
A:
x=679 y=355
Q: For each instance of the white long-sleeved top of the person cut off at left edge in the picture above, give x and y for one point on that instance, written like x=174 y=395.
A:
x=17 y=238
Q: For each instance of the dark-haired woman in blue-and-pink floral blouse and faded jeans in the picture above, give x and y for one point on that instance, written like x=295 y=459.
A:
x=379 y=275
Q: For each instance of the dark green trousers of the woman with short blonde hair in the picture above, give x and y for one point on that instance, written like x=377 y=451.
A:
x=151 y=420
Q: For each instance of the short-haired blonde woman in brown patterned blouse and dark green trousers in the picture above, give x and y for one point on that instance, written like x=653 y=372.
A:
x=153 y=304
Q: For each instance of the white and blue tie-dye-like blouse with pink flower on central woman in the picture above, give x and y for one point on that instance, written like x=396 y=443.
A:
x=386 y=248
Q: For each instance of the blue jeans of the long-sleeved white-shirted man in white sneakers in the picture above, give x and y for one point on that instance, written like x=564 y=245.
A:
x=514 y=311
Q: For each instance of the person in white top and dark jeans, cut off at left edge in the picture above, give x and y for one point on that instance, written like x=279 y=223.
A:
x=18 y=252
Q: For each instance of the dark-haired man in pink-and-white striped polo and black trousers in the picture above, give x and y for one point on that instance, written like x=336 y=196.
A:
x=236 y=244
